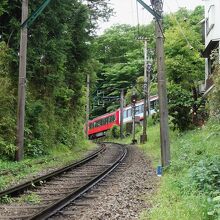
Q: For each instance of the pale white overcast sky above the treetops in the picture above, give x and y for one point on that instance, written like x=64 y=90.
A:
x=126 y=11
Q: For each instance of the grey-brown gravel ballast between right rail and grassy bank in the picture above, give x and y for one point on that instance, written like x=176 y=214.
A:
x=123 y=195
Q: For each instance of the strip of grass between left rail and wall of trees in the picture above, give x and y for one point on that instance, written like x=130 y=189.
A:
x=14 y=172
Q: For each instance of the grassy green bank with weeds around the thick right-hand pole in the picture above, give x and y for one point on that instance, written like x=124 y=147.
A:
x=190 y=186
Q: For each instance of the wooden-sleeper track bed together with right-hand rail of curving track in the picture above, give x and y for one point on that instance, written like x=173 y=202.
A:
x=49 y=197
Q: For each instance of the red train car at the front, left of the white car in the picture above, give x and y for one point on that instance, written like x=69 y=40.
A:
x=98 y=126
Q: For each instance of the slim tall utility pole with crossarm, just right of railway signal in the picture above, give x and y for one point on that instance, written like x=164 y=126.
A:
x=144 y=135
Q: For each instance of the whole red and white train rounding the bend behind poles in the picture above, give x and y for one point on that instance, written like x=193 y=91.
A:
x=98 y=126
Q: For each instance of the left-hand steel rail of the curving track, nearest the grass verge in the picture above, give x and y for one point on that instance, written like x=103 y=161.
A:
x=37 y=181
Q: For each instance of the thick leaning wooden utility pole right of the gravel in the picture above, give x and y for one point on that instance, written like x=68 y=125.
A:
x=162 y=91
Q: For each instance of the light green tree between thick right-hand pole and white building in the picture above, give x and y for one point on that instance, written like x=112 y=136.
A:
x=184 y=66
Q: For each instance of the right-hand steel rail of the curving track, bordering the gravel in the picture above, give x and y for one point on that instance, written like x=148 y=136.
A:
x=60 y=204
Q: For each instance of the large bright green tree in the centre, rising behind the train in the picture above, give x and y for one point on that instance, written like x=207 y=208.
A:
x=122 y=61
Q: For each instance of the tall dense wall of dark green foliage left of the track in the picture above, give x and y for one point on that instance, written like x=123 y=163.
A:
x=58 y=51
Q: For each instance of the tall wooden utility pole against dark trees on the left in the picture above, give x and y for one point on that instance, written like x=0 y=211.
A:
x=21 y=85
